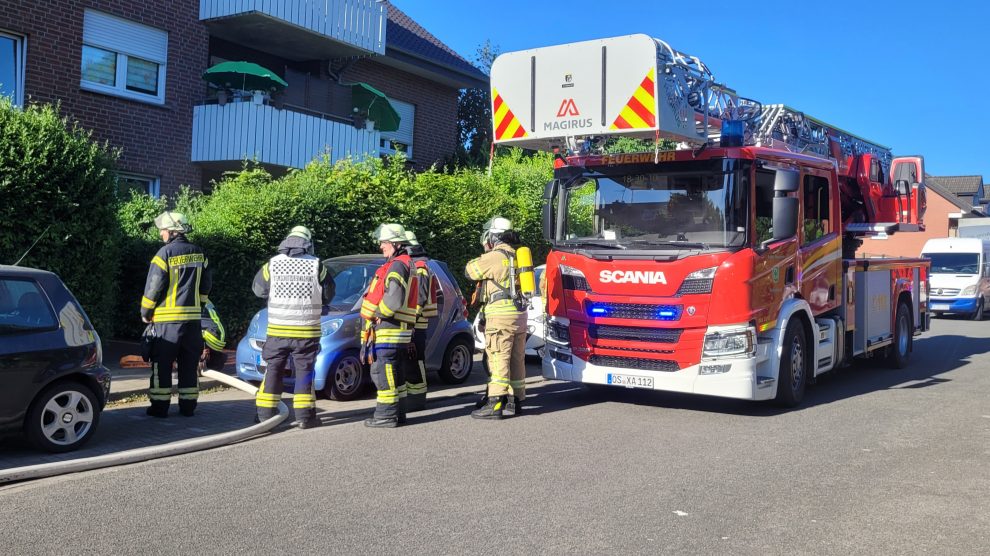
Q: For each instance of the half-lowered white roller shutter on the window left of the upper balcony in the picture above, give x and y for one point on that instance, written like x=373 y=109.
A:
x=127 y=37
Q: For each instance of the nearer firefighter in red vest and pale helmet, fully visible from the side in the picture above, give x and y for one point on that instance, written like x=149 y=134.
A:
x=389 y=312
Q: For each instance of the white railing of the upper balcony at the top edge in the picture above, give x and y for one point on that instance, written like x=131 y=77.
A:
x=358 y=23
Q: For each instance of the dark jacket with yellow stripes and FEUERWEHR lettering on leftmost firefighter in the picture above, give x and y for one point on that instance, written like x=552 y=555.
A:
x=178 y=283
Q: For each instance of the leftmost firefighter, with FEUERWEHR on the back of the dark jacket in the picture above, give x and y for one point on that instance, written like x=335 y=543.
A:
x=177 y=286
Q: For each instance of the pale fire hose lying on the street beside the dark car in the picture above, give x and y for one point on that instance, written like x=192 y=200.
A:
x=153 y=452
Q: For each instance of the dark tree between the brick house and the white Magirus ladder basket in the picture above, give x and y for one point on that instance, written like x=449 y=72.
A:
x=474 y=114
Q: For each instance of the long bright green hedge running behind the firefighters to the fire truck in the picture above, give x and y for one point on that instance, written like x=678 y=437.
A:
x=242 y=222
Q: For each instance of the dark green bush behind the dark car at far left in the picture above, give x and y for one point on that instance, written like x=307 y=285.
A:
x=54 y=176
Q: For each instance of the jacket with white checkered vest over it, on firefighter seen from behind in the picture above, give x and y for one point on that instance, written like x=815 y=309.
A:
x=297 y=285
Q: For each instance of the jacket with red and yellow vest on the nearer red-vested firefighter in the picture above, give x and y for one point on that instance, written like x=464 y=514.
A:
x=389 y=305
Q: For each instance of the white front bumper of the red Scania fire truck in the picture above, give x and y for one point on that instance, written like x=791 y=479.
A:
x=741 y=381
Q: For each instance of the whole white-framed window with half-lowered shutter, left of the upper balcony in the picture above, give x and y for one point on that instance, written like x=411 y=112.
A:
x=123 y=58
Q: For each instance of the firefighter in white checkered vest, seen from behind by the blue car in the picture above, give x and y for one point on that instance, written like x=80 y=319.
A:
x=297 y=286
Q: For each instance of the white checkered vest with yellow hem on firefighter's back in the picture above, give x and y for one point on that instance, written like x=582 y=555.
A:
x=295 y=299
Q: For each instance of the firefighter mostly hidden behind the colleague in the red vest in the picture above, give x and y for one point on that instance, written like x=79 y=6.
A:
x=426 y=310
